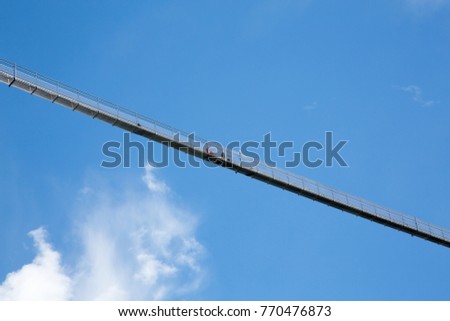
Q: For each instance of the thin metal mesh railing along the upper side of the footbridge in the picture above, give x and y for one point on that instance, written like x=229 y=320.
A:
x=10 y=71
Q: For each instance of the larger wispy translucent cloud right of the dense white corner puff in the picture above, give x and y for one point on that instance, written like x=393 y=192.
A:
x=137 y=246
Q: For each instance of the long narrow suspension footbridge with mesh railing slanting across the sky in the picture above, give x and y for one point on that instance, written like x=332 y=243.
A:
x=95 y=107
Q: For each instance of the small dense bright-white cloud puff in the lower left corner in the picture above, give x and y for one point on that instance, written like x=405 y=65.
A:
x=43 y=279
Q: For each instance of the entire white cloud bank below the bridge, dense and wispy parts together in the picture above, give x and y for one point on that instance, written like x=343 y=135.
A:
x=135 y=245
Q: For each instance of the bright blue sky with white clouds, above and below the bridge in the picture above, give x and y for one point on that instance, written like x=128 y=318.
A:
x=374 y=73
